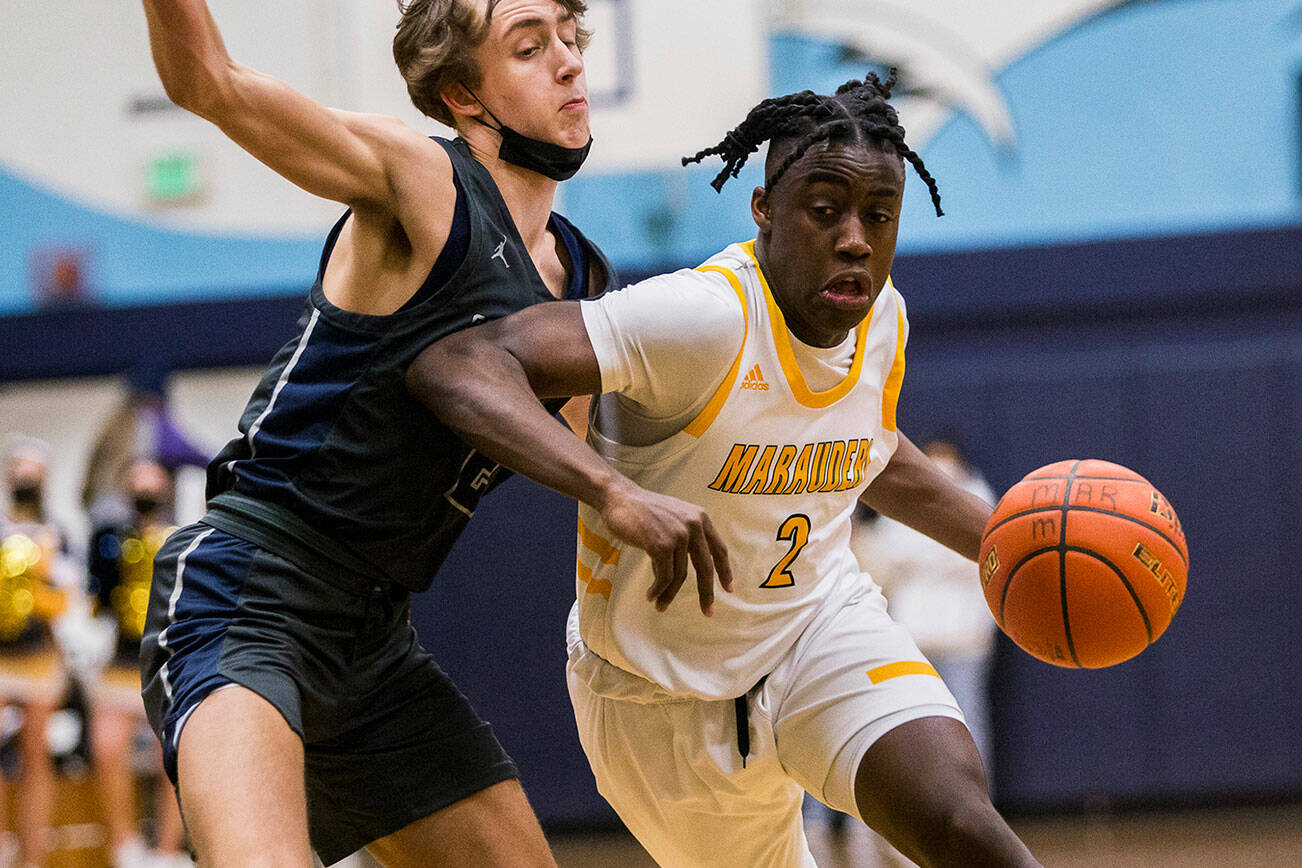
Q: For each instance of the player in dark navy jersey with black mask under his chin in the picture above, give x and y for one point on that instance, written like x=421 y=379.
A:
x=281 y=671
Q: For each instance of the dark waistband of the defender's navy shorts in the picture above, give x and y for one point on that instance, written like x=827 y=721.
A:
x=286 y=536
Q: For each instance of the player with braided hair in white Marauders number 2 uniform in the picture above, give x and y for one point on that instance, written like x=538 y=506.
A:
x=762 y=387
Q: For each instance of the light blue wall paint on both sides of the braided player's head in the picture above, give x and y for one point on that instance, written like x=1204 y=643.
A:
x=1159 y=118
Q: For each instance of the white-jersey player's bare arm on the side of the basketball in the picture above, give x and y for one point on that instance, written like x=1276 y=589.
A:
x=916 y=493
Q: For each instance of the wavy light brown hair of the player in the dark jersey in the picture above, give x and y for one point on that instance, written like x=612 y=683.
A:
x=436 y=44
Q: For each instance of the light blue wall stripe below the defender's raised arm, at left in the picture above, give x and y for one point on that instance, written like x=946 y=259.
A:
x=136 y=264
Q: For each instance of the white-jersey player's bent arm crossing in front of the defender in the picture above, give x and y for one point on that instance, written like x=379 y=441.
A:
x=485 y=383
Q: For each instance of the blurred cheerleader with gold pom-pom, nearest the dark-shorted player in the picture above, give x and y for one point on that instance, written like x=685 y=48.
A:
x=122 y=567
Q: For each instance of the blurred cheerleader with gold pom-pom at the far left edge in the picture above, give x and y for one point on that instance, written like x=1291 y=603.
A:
x=38 y=584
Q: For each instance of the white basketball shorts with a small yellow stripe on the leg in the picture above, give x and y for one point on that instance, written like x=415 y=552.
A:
x=671 y=766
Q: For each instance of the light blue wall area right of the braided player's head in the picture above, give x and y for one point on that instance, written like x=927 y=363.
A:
x=1157 y=119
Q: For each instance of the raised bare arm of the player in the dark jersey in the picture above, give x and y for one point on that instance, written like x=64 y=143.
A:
x=361 y=161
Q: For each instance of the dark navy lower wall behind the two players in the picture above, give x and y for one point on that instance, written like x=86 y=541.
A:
x=1182 y=359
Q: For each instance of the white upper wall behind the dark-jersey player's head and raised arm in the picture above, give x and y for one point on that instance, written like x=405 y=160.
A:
x=74 y=70
